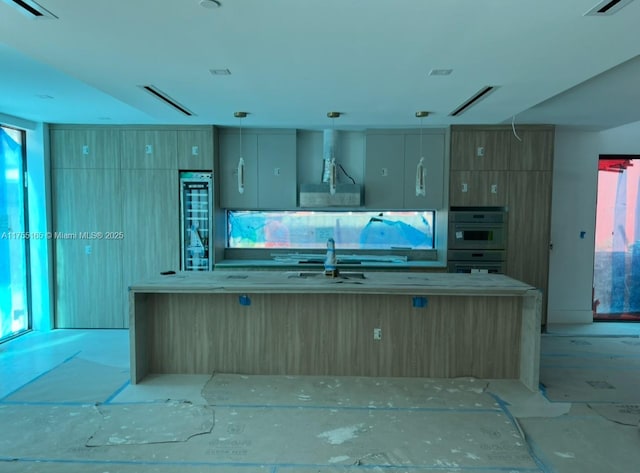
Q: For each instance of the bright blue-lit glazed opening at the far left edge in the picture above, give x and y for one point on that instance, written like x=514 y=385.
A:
x=14 y=235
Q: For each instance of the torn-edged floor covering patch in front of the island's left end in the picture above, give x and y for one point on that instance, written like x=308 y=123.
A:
x=173 y=421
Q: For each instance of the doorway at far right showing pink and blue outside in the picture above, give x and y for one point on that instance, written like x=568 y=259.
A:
x=616 y=273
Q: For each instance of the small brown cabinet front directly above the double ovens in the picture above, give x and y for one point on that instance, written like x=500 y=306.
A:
x=478 y=188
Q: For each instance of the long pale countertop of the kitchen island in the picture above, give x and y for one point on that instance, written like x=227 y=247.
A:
x=315 y=282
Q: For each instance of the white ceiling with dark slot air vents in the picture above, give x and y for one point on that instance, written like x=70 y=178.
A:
x=292 y=61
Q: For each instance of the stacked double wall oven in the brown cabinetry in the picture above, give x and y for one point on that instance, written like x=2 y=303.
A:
x=477 y=240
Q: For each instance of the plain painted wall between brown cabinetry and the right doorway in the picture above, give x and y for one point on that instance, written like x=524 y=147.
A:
x=575 y=181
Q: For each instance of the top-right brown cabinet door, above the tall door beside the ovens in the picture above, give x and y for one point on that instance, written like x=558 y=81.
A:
x=534 y=152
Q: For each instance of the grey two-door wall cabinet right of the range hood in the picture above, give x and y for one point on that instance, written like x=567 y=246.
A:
x=391 y=161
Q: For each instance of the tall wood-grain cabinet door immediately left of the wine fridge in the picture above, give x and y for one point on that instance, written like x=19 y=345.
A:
x=150 y=224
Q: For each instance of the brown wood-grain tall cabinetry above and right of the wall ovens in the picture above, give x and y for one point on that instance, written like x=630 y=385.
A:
x=492 y=167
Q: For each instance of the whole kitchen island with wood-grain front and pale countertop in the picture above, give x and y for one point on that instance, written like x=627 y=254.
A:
x=437 y=325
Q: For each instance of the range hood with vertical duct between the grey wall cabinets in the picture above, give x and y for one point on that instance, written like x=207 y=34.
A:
x=320 y=195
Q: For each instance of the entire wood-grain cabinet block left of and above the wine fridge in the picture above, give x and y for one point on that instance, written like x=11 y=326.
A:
x=115 y=211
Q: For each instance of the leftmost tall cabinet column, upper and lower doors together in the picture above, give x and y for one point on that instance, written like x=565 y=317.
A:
x=87 y=202
